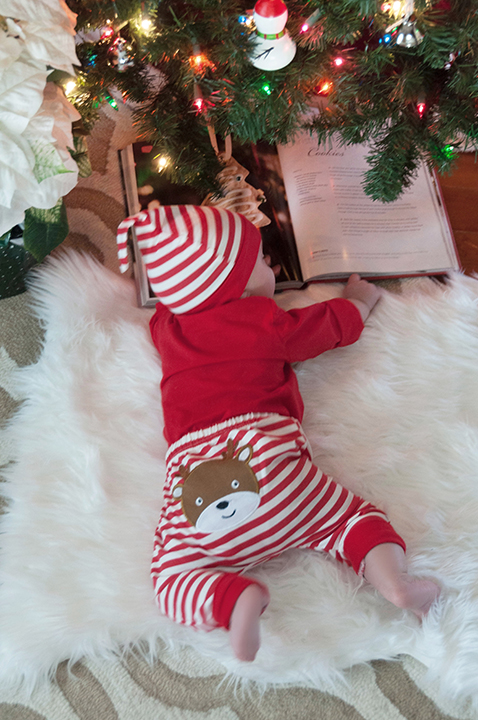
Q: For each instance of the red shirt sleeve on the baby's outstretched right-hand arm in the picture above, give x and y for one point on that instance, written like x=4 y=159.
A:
x=310 y=331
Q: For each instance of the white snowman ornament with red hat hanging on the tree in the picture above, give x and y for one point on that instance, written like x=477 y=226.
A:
x=274 y=48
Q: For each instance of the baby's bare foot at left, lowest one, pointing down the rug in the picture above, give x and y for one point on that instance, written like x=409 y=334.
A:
x=245 y=618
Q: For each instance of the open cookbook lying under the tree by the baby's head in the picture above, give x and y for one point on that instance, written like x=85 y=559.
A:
x=323 y=226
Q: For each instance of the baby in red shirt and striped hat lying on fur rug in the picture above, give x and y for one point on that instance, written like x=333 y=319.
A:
x=241 y=486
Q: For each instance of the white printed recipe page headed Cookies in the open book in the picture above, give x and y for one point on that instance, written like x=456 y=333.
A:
x=340 y=230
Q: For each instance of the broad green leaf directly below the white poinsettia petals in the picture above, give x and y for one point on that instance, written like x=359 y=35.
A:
x=45 y=230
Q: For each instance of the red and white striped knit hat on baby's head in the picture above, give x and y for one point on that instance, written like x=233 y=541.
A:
x=195 y=257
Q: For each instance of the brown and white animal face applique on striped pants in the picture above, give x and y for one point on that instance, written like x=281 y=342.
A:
x=219 y=494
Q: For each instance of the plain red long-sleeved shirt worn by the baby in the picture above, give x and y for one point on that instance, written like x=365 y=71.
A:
x=235 y=358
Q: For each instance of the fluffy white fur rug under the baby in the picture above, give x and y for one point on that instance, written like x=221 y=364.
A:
x=395 y=417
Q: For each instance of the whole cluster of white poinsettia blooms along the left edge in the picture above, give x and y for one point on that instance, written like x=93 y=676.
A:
x=36 y=168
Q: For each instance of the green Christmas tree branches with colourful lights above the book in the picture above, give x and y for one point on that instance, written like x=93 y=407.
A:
x=399 y=75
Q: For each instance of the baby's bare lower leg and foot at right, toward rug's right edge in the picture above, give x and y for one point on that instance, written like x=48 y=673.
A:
x=385 y=567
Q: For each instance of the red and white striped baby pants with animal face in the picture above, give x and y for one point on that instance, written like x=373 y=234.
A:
x=238 y=494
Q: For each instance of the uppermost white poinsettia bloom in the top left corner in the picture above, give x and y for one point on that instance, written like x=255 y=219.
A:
x=46 y=28
